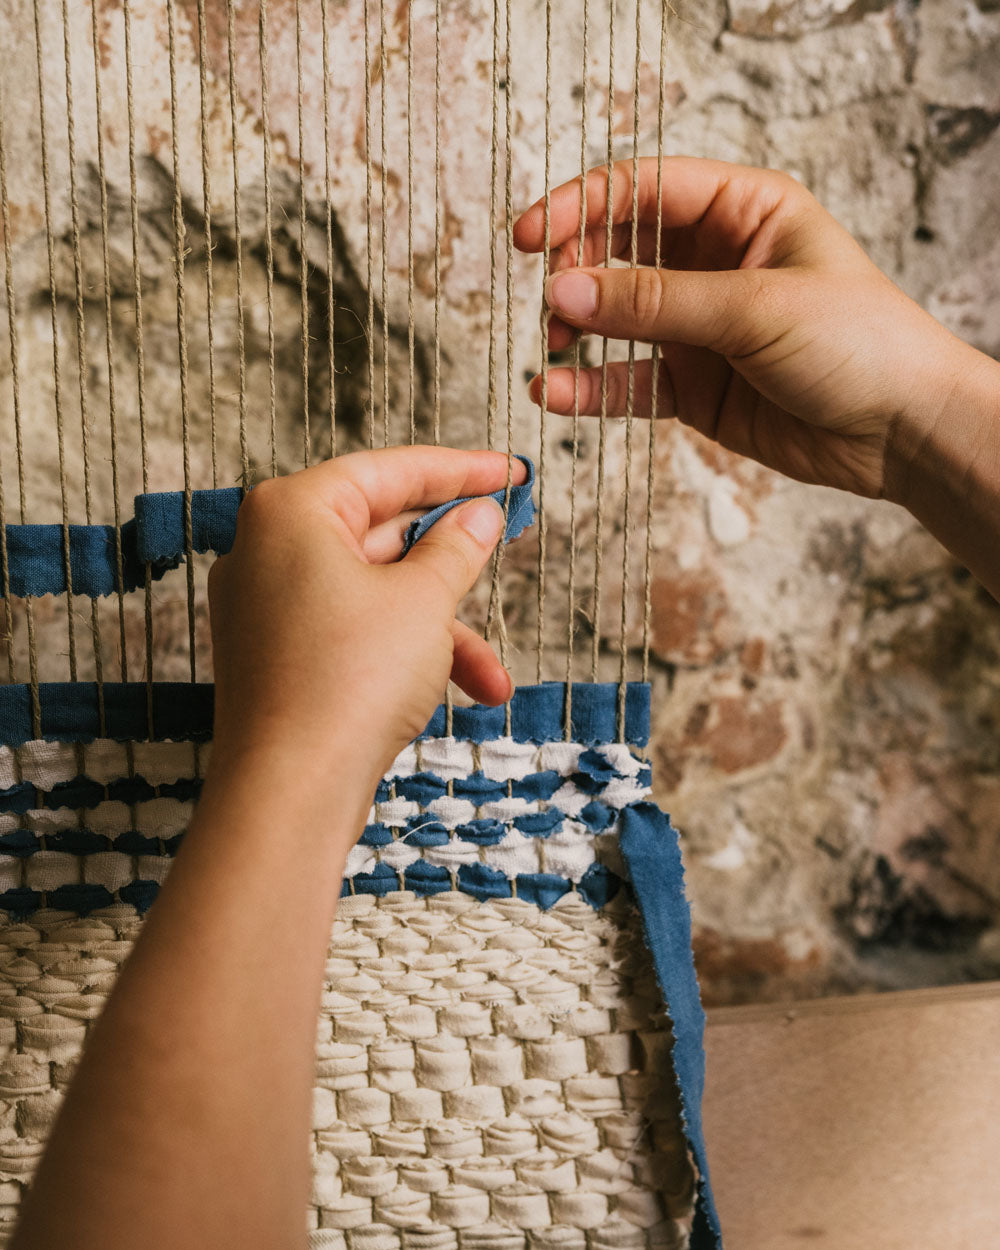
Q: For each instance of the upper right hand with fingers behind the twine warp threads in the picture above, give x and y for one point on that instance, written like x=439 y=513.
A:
x=778 y=337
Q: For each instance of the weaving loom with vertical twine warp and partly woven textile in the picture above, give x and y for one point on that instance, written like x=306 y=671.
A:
x=198 y=298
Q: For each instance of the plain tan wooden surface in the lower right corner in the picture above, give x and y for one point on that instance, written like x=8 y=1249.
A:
x=869 y=1123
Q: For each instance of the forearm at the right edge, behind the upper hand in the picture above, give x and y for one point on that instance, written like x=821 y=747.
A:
x=946 y=466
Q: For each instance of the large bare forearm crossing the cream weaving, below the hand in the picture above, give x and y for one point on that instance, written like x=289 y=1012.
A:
x=187 y=1124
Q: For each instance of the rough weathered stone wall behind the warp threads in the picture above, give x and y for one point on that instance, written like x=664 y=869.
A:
x=826 y=679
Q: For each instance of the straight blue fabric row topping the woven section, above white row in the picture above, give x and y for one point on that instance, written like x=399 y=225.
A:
x=72 y=713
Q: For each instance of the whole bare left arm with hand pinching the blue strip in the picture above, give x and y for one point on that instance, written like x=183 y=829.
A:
x=187 y=1124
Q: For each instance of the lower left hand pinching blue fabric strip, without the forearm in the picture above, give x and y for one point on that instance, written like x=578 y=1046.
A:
x=323 y=637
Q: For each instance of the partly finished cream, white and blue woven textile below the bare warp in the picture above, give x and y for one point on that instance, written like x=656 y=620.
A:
x=494 y=1059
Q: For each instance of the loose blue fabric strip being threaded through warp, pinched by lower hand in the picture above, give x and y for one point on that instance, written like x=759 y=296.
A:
x=37 y=554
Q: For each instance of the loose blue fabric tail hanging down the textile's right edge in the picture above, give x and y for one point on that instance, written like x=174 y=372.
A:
x=649 y=844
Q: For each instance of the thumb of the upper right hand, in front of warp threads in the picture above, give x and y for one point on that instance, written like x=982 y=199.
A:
x=733 y=312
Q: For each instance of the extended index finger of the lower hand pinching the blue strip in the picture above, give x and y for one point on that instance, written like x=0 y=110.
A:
x=368 y=488
